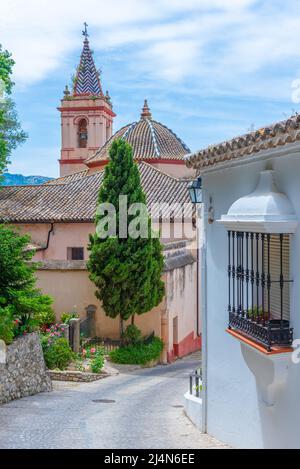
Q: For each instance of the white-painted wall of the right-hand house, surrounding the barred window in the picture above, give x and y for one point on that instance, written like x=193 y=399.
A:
x=250 y=400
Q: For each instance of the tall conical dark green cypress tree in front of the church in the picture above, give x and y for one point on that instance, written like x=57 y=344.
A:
x=126 y=270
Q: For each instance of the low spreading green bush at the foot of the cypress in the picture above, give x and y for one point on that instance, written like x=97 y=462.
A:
x=138 y=354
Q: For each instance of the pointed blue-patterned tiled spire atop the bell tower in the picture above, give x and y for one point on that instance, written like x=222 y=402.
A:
x=87 y=81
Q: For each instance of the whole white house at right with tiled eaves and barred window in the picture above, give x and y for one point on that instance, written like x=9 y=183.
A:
x=251 y=287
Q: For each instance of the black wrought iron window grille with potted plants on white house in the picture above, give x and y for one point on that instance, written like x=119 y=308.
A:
x=259 y=287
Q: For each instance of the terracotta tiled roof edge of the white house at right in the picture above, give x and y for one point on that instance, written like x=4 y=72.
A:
x=266 y=138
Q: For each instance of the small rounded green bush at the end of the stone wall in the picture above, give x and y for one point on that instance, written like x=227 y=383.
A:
x=57 y=355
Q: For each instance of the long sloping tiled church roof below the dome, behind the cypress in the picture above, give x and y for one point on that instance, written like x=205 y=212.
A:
x=74 y=200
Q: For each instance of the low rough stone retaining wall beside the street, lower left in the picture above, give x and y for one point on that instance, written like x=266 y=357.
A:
x=24 y=371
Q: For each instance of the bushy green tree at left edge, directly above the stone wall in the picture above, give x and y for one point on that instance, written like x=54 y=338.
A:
x=20 y=300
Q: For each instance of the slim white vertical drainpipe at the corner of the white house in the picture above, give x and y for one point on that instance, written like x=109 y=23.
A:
x=203 y=216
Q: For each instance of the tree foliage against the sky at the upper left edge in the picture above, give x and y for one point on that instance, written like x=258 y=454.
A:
x=11 y=134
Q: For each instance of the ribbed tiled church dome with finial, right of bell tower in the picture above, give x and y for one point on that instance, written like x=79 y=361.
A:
x=149 y=139
